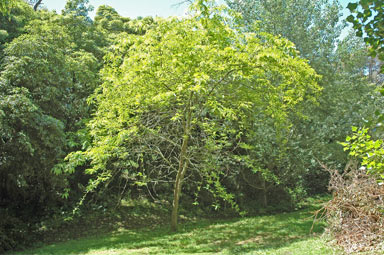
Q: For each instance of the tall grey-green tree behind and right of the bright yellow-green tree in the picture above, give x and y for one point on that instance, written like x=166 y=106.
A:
x=315 y=27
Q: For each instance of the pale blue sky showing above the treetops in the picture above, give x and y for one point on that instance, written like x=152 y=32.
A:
x=135 y=8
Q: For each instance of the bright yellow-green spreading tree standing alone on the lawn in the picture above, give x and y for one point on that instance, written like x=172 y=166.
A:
x=177 y=99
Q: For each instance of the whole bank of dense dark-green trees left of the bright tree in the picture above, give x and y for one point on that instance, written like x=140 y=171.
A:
x=49 y=67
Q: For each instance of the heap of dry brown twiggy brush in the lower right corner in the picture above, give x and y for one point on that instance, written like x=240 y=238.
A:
x=355 y=214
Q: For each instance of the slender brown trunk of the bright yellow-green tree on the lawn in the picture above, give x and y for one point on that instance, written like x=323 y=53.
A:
x=183 y=165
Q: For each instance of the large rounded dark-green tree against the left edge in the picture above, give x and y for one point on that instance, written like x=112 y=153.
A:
x=44 y=84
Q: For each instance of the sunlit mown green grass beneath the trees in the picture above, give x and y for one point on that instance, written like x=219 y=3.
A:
x=285 y=234
